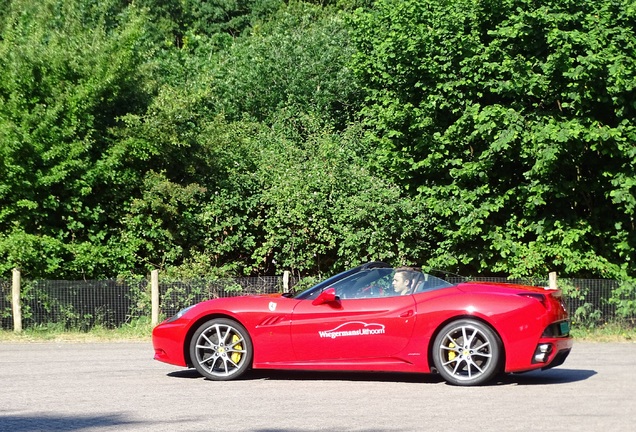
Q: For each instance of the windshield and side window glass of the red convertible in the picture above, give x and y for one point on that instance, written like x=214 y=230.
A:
x=374 y=282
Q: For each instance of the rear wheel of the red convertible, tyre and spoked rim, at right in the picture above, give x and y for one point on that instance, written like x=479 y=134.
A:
x=467 y=352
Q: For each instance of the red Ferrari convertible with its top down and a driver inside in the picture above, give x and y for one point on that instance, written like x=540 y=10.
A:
x=374 y=318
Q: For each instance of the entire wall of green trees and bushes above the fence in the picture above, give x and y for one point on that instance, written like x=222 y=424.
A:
x=250 y=137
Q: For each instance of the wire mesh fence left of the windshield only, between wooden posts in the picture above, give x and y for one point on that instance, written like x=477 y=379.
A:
x=82 y=305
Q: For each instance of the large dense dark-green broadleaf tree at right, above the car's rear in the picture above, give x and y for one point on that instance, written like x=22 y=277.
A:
x=512 y=123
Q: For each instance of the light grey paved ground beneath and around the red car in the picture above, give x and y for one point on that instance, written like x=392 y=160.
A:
x=117 y=386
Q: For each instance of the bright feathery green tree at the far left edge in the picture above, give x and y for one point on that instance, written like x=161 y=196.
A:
x=70 y=70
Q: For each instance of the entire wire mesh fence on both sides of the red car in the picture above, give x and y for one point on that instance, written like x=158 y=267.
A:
x=82 y=305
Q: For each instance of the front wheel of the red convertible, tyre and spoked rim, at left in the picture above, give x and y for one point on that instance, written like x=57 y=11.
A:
x=221 y=349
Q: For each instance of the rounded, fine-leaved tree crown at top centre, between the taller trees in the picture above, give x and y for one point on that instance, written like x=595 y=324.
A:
x=296 y=58
